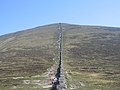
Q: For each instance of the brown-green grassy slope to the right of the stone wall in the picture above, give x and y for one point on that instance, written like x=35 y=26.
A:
x=92 y=57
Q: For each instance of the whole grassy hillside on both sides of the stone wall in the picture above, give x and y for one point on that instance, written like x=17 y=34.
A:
x=91 y=57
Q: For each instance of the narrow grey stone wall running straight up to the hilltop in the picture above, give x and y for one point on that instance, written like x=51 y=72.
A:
x=59 y=82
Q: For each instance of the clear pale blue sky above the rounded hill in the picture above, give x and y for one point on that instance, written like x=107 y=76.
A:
x=17 y=15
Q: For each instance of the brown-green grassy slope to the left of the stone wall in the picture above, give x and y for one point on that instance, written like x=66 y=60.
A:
x=26 y=55
